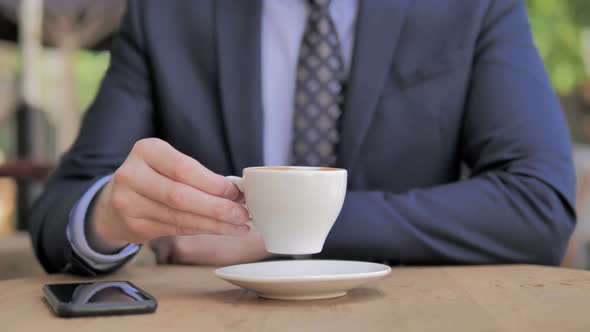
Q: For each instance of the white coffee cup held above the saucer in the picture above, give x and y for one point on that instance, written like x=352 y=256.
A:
x=293 y=208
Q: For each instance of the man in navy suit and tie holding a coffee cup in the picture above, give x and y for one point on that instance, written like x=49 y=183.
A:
x=400 y=93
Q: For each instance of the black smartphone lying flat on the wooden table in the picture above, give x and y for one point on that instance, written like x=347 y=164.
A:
x=98 y=299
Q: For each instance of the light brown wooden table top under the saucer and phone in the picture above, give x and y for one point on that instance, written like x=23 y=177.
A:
x=494 y=298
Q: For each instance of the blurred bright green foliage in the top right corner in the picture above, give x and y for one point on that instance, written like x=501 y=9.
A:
x=557 y=28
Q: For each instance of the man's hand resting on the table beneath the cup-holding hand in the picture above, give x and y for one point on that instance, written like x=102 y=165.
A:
x=209 y=249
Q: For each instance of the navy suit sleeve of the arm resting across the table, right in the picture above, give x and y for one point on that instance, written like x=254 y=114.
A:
x=517 y=204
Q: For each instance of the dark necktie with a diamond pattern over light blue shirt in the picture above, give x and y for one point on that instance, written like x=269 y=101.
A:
x=319 y=92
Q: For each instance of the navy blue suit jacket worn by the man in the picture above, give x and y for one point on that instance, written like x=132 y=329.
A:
x=433 y=84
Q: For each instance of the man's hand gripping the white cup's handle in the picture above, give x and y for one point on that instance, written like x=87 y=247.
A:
x=158 y=192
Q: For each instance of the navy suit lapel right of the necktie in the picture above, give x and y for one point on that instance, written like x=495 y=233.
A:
x=379 y=25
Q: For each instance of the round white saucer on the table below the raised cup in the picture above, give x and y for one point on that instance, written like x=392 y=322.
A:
x=302 y=279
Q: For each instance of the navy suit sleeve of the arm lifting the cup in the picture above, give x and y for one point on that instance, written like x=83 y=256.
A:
x=121 y=115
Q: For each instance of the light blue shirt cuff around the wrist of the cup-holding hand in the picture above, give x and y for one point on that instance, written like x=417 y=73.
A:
x=77 y=236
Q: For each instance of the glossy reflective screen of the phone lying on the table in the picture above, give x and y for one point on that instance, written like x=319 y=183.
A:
x=97 y=292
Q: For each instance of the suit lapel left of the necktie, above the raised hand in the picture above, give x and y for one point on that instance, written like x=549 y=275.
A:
x=238 y=40
